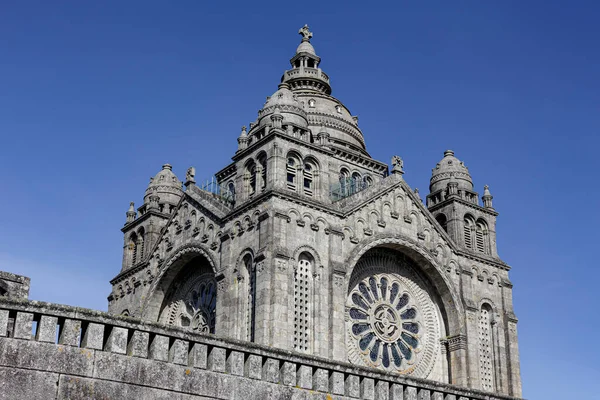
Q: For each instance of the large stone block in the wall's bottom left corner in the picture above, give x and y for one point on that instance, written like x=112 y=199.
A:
x=20 y=384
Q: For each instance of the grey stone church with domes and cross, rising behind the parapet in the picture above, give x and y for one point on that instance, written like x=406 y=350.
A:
x=305 y=243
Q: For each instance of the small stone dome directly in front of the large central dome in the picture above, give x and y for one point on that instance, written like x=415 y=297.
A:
x=287 y=104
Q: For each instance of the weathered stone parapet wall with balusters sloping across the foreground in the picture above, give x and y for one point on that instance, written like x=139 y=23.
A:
x=50 y=351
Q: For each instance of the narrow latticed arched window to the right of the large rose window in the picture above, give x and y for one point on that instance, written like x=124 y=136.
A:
x=486 y=348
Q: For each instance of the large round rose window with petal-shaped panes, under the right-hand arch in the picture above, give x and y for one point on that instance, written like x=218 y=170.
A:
x=391 y=324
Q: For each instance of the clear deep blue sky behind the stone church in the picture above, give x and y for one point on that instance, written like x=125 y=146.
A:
x=95 y=96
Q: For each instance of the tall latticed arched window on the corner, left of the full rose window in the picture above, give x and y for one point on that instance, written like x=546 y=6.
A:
x=303 y=279
